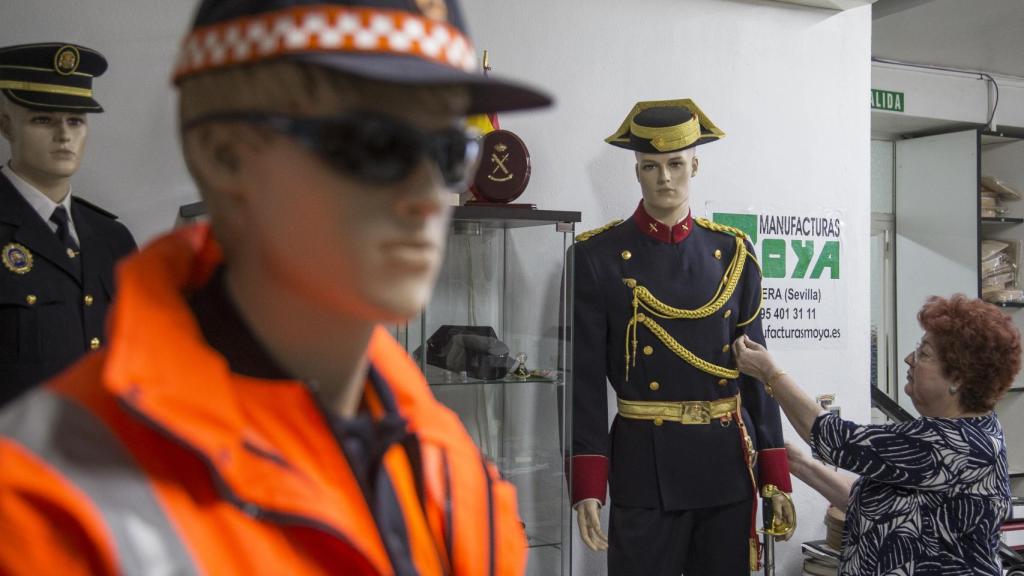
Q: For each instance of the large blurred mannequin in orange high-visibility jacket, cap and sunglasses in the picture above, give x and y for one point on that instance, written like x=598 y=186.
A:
x=250 y=416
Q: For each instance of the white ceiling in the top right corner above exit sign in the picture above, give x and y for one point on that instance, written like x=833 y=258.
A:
x=983 y=35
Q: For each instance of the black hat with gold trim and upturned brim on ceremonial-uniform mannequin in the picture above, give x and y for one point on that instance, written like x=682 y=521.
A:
x=664 y=127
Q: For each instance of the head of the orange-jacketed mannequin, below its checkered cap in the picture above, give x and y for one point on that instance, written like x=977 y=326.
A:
x=289 y=218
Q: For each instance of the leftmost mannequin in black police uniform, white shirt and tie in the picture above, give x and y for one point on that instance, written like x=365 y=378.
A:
x=58 y=251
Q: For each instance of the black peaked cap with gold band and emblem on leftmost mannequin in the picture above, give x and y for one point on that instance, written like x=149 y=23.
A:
x=52 y=76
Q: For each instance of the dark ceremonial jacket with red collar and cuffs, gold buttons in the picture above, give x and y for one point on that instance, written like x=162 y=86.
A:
x=670 y=467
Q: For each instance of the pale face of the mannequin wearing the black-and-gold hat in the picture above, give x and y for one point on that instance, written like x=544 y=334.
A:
x=665 y=181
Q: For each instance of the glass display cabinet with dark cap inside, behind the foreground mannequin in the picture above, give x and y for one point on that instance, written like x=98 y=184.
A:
x=493 y=345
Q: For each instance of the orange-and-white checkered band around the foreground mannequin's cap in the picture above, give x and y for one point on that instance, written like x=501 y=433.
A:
x=320 y=29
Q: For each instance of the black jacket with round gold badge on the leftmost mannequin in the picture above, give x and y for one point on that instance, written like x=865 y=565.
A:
x=50 y=317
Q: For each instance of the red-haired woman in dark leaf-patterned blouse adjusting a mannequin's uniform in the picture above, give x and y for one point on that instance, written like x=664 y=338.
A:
x=931 y=492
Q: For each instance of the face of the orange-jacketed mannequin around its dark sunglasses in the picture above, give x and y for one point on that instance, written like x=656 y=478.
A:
x=345 y=246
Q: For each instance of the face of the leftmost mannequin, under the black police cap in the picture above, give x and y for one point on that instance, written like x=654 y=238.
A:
x=45 y=146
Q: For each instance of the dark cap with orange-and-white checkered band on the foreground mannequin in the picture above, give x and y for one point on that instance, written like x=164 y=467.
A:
x=414 y=43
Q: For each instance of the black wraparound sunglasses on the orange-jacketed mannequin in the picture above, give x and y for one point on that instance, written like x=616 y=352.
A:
x=373 y=148
